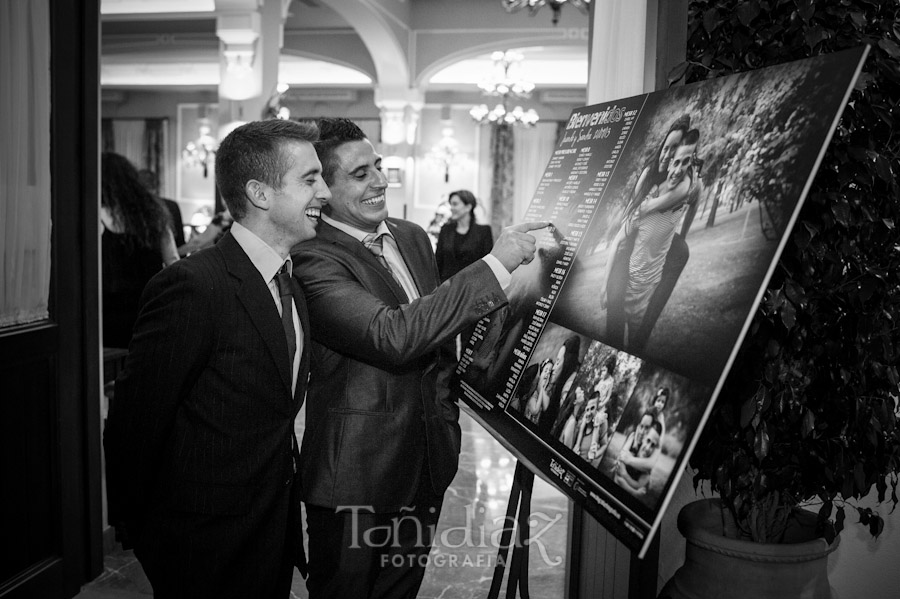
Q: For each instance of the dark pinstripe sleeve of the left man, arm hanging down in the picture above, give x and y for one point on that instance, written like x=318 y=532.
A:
x=168 y=349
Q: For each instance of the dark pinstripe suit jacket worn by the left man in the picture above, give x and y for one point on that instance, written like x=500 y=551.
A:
x=200 y=443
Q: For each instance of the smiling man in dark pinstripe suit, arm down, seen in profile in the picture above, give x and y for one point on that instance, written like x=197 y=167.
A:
x=200 y=446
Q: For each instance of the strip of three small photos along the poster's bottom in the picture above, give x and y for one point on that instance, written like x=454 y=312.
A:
x=621 y=420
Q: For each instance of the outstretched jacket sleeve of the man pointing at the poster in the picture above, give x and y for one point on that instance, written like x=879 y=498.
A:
x=348 y=318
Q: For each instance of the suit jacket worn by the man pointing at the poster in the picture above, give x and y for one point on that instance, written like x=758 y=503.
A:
x=378 y=404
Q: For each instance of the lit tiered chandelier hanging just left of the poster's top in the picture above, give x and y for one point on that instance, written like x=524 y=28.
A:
x=506 y=85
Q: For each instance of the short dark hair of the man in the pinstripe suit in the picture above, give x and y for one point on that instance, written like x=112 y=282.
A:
x=255 y=151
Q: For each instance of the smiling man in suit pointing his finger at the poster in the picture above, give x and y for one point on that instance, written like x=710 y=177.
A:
x=382 y=439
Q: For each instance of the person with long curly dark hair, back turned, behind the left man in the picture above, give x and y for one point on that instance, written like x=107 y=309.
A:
x=136 y=243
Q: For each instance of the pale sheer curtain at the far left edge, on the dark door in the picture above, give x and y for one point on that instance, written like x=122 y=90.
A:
x=24 y=161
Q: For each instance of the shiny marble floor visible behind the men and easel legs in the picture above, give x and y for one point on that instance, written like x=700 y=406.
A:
x=465 y=550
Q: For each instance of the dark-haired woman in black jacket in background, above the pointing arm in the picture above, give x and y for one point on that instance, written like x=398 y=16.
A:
x=461 y=241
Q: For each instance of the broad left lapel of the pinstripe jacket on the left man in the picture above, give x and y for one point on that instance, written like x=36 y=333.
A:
x=254 y=294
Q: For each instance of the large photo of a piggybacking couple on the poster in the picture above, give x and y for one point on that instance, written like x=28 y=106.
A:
x=694 y=212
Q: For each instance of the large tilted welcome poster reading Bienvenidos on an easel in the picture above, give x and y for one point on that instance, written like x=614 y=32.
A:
x=668 y=211
